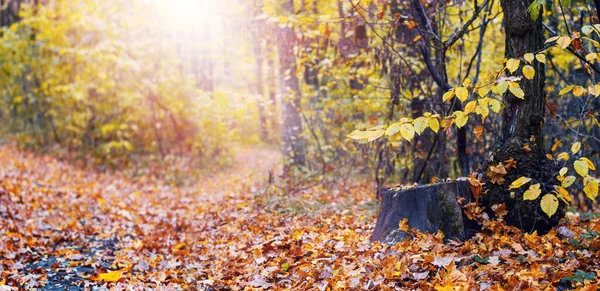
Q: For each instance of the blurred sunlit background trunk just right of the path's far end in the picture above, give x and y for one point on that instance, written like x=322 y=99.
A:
x=293 y=141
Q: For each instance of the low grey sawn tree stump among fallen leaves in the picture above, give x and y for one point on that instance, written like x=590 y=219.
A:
x=428 y=208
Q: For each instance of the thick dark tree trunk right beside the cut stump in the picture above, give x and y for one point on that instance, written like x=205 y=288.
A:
x=522 y=135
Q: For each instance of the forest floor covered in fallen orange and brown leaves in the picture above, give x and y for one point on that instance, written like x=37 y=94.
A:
x=65 y=228
